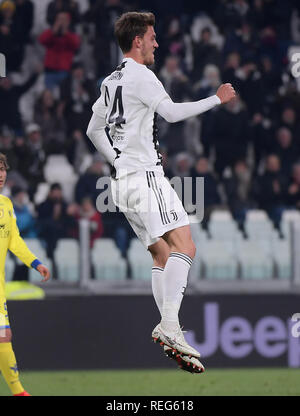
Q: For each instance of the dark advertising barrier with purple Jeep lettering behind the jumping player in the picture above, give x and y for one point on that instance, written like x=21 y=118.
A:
x=115 y=331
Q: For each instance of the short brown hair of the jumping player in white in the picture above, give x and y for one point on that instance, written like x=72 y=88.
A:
x=132 y=24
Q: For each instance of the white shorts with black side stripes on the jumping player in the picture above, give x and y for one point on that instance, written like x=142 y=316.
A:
x=150 y=204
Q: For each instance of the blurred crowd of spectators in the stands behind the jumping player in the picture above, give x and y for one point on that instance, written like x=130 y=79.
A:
x=248 y=151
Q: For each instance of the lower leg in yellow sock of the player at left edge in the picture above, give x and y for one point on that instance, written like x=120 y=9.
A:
x=8 y=364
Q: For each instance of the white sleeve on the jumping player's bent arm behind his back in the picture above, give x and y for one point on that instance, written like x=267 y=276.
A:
x=97 y=131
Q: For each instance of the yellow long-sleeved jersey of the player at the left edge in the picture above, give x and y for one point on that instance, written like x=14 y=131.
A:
x=10 y=239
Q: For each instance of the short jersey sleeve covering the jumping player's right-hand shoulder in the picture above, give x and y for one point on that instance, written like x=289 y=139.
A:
x=150 y=90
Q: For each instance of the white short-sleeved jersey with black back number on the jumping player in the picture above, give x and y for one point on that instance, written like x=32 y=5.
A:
x=128 y=101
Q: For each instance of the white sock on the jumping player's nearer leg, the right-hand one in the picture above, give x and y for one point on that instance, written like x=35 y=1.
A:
x=174 y=285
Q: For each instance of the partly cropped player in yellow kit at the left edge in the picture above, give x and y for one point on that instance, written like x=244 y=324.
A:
x=10 y=240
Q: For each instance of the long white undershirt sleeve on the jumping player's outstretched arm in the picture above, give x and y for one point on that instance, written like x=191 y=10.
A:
x=173 y=112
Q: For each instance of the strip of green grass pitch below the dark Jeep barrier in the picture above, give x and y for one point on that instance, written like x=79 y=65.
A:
x=277 y=382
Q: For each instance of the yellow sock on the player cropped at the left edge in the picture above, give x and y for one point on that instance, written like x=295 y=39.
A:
x=8 y=368
